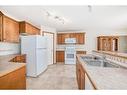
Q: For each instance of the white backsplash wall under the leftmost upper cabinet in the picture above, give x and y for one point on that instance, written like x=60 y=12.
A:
x=9 y=48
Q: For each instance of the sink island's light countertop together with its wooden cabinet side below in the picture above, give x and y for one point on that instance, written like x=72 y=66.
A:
x=103 y=78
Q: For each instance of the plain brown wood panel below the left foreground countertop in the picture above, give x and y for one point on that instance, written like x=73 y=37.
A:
x=14 y=80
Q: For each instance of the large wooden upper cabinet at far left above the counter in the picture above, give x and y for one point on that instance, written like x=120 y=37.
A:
x=9 y=29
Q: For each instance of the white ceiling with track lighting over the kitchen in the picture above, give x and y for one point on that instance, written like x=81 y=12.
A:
x=76 y=17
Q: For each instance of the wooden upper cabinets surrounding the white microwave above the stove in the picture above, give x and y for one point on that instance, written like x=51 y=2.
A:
x=80 y=37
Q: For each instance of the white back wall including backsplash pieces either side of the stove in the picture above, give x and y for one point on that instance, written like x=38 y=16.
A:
x=91 y=38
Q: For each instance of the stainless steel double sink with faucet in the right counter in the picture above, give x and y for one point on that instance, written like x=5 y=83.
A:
x=93 y=60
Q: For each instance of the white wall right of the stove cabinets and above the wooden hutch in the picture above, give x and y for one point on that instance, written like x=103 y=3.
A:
x=91 y=37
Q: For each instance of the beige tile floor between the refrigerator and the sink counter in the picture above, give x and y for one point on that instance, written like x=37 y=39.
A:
x=56 y=77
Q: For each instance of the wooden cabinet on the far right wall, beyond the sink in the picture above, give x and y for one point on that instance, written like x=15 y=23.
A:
x=107 y=43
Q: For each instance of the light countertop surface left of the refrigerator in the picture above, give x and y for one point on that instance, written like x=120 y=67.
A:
x=6 y=66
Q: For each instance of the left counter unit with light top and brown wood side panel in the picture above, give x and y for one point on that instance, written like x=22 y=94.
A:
x=12 y=73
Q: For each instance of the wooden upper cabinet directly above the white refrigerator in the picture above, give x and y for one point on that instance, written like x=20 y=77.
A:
x=28 y=28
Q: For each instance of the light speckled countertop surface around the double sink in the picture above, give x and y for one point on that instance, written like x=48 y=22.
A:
x=104 y=77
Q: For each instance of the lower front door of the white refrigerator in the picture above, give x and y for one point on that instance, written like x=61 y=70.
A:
x=41 y=59
